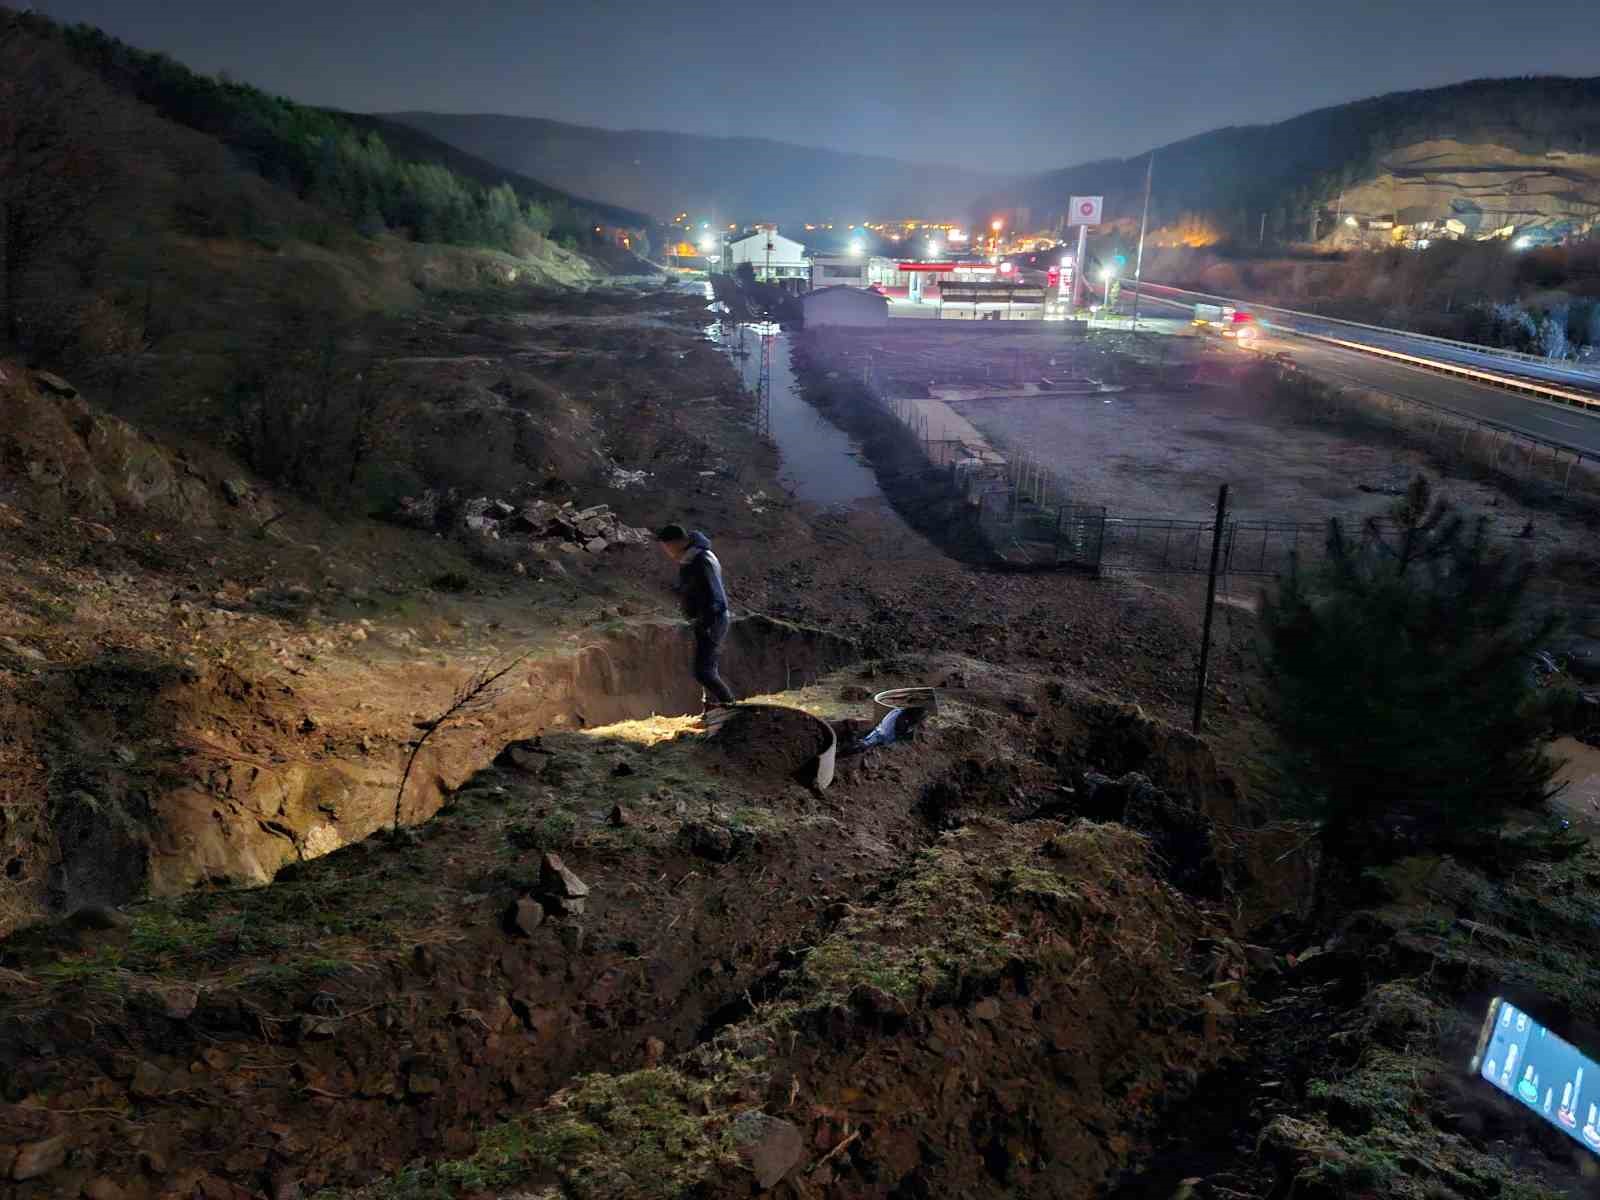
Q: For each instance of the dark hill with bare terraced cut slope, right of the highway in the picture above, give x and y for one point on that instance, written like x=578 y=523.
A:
x=1490 y=153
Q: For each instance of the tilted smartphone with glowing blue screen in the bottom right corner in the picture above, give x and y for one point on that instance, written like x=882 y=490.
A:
x=1542 y=1071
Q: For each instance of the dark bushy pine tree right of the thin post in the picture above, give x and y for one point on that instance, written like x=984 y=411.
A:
x=1399 y=682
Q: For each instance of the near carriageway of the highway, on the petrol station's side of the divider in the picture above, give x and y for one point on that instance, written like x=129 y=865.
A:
x=1567 y=426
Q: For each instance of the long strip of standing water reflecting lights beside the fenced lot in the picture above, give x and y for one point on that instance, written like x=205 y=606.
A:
x=820 y=462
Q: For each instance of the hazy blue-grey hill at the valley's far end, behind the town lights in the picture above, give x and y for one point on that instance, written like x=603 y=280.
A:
x=735 y=178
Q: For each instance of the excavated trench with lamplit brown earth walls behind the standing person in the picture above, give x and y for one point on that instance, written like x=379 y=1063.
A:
x=228 y=780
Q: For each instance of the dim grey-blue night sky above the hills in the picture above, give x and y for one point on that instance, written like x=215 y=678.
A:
x=1009 y=87
